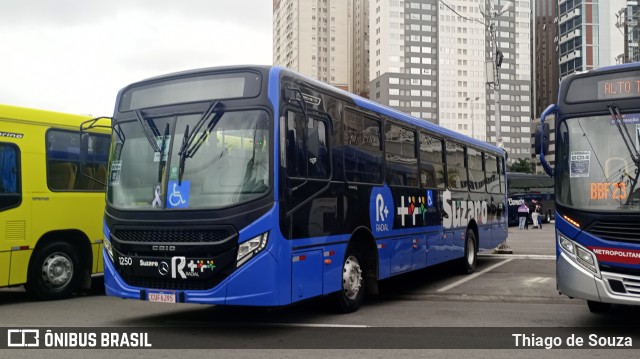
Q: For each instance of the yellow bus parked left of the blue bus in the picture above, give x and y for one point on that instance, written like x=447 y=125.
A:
x=50 y=205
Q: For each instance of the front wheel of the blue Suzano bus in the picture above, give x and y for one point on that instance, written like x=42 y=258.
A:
x=352 y=290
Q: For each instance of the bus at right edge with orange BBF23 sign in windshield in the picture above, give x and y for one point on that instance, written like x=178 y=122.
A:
x=597 y=160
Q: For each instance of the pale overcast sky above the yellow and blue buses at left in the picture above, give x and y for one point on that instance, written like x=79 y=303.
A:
x=74 y=55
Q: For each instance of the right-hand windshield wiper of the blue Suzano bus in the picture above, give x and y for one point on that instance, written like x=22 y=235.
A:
x=191 y=145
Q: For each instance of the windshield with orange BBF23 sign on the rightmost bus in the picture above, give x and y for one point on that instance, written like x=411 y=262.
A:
x=594 y=166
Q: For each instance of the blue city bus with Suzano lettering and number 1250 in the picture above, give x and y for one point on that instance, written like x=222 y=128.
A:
x=254 y=185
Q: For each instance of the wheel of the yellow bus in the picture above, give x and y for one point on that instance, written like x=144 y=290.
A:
x=54 y=271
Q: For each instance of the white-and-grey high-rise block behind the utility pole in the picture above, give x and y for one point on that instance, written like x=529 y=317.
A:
x=427 y=58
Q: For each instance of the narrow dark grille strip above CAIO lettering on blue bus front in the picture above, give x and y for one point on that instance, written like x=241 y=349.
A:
x=173 y=235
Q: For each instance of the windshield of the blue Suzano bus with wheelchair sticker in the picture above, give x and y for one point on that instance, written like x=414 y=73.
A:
x=231 y=165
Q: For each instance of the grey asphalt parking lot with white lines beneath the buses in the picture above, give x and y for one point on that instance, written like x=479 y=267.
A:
x=513 y=291
